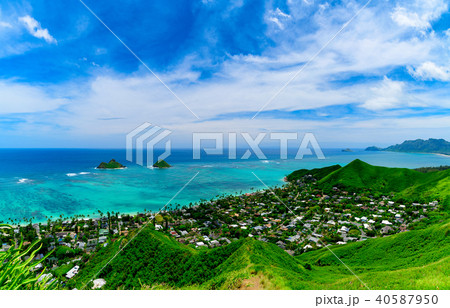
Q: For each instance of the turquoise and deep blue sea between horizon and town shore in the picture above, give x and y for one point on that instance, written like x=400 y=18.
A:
x=44 y=183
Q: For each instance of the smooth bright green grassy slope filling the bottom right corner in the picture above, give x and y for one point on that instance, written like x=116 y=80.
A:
x=417 y=259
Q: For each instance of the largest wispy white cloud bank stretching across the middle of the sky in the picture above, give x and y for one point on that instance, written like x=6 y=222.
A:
x=370 y=47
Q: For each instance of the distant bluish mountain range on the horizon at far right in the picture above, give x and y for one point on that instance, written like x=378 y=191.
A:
x=439 y=146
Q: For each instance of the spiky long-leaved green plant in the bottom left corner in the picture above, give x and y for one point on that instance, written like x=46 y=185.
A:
x=17 y=273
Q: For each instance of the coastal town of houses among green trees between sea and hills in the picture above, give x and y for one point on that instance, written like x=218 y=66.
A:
x=297 y=217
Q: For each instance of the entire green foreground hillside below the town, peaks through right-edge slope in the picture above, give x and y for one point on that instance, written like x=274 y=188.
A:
x=416 y=259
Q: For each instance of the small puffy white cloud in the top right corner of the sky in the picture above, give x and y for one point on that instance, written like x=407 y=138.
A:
x=419 y=14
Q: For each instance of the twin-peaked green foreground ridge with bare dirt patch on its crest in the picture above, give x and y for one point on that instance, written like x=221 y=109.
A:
x=153 y=260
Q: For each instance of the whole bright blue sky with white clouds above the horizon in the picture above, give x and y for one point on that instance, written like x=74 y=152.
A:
x=66 y=81
